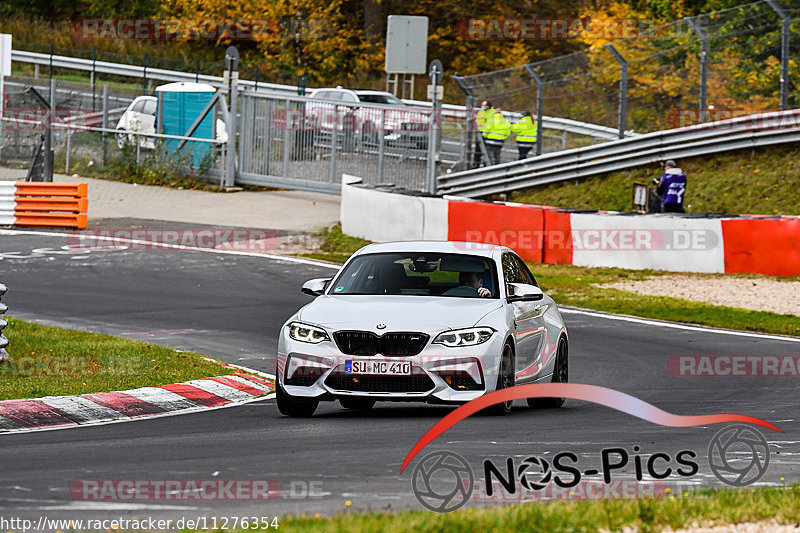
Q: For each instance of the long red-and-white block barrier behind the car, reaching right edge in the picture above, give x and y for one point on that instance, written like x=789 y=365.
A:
x=757 y=244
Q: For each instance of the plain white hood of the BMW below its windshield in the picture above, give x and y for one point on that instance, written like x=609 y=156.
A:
x=399 y=313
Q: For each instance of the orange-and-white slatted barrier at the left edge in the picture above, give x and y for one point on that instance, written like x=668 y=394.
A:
x=43 y=204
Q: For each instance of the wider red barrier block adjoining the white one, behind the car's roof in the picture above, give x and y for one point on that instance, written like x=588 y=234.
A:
x=518 y=227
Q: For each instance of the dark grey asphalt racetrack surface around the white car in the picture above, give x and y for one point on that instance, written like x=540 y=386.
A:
x=231 y=307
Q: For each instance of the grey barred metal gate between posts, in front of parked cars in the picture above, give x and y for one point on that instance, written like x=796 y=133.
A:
x=308 y=143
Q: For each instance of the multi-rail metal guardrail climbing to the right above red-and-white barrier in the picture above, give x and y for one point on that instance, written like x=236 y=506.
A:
x=763 y=129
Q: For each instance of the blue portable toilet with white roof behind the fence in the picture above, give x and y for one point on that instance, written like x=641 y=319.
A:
x=179 y=105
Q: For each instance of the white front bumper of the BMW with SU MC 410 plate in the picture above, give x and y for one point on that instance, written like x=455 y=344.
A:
x=438 y=373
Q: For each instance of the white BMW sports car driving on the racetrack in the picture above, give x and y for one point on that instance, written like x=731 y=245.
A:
x=438 y=322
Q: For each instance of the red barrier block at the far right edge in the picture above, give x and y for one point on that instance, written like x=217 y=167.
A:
x=762 y=246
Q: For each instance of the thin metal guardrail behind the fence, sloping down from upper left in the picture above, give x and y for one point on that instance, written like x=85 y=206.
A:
x=137 y=71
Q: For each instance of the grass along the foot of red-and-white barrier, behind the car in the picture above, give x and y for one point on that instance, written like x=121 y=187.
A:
x=578 y=286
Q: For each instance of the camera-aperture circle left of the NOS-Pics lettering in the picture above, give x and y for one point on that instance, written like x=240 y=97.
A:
x=442 y=481
